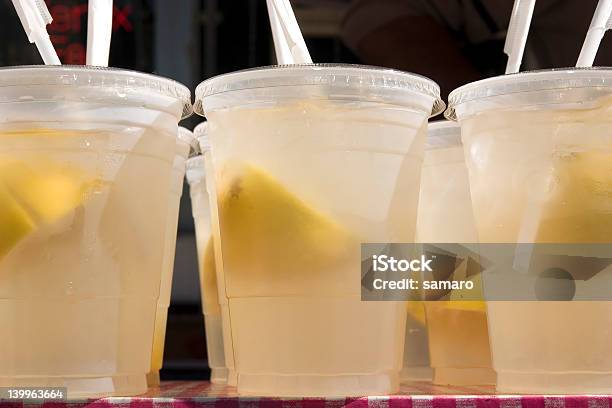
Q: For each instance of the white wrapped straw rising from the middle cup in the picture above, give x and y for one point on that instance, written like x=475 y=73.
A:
x=288 y=39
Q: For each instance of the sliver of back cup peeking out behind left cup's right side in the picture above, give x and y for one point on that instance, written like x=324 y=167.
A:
x=186 y=143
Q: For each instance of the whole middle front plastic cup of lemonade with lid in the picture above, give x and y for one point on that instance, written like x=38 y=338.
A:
x=309 y=162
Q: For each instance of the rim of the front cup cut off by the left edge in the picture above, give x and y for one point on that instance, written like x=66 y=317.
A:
x=95 y=77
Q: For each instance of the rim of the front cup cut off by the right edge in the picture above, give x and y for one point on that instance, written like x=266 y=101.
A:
x=529 y=81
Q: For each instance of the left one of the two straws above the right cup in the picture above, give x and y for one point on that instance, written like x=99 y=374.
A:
x=522 y=12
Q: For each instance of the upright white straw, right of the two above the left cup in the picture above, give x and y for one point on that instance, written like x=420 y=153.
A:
x=99 y=31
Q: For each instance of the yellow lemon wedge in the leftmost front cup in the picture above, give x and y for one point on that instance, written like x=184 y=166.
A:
x=34 y=193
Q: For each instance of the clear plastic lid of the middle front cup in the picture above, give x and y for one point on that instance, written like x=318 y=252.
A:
x=358 y=82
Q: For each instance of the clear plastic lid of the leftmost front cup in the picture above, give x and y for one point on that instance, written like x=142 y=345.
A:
x=113 y=84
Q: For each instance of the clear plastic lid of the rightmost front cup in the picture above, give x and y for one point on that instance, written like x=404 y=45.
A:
x=532 y=88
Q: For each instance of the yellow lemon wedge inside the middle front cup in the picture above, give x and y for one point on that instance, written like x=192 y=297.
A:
x=269 y=235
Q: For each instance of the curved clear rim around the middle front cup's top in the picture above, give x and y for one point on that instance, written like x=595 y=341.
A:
x=327 y=74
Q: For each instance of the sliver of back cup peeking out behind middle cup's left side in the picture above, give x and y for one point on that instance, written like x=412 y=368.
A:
x=211 y=307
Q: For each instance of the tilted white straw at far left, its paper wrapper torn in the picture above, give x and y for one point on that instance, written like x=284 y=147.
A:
x=34 y=17
